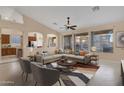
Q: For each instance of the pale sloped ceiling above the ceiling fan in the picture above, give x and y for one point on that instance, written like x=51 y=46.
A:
x=54 y=17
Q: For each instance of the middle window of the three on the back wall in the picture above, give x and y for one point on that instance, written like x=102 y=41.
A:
x=81 y=42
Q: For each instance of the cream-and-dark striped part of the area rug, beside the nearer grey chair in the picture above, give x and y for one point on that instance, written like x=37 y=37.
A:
x=76 y=77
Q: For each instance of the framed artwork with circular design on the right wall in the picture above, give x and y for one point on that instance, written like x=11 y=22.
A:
x=120 y=39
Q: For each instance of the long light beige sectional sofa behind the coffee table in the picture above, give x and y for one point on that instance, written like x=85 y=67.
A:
x=56 y=57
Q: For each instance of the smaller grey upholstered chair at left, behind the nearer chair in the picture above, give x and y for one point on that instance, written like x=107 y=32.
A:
x=25 y=66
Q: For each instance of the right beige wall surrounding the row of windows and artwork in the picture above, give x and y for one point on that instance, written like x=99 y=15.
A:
x=117 y=26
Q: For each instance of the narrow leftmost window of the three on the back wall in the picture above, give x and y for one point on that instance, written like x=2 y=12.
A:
x=68 y=42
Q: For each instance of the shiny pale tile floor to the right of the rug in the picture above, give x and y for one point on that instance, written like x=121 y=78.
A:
x=109 y=74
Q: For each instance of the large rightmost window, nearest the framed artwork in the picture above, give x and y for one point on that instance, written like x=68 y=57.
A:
x=103 y=41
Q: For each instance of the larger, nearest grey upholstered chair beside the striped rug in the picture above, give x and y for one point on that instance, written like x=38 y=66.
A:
x=44 y=76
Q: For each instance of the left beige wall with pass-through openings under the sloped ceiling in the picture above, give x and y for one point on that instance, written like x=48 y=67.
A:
x=30 y=26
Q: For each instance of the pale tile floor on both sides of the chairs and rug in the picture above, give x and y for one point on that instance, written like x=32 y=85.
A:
x=107 y=75
